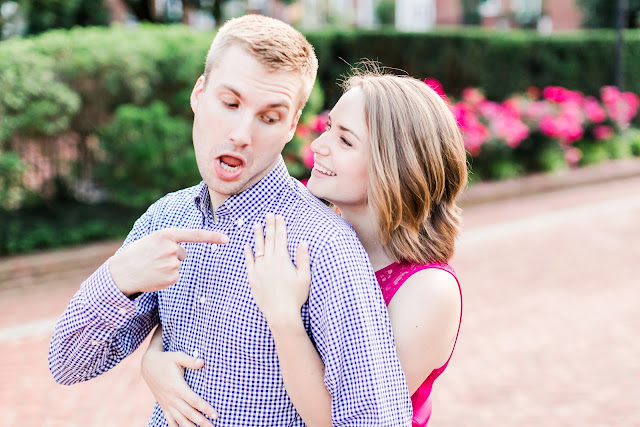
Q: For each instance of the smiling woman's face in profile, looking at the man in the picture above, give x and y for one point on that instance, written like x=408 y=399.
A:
x=341 y=154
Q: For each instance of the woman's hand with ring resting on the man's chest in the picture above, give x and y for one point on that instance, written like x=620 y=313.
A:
x=279 y=288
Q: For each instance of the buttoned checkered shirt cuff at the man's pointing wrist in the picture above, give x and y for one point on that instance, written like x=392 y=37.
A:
x=107 y=301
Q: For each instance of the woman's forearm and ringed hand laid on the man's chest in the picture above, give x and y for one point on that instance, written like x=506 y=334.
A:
x=280 y=289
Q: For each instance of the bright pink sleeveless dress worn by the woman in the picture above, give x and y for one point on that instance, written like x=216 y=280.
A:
x=390 y=279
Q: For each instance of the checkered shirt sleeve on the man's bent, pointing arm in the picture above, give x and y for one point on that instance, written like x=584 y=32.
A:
x=101 y=326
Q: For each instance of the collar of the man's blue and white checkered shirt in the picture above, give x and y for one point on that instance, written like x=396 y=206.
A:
x=250 y=200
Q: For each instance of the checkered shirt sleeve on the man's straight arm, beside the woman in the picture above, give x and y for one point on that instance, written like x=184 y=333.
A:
x=352 y=332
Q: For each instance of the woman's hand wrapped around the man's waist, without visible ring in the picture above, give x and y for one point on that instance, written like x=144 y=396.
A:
x=164 y=374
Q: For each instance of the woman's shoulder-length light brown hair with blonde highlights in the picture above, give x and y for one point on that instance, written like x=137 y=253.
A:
x=417 y=167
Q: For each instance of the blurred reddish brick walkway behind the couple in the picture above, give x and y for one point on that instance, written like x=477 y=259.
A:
x=549 y=335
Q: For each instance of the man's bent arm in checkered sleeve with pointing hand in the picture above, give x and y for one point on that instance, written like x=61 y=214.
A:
x=107 y=319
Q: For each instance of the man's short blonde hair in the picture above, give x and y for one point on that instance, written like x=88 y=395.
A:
x=275 y=44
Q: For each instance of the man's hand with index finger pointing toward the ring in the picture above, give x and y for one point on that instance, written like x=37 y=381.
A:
x=153 y=262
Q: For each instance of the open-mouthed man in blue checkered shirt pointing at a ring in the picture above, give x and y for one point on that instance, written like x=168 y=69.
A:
x=182 y=265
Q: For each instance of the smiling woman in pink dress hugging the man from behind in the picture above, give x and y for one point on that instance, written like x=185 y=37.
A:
x=392 y=161
